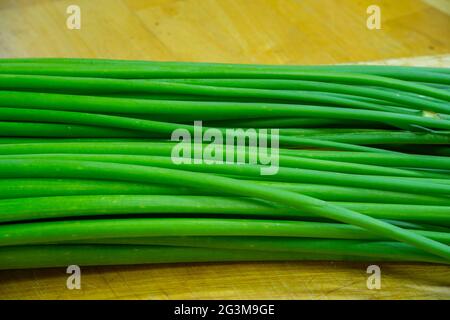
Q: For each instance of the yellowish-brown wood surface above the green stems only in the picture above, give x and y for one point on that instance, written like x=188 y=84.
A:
x=253 y=31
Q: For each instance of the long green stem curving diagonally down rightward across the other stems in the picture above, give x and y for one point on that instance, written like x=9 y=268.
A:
x=101 y=170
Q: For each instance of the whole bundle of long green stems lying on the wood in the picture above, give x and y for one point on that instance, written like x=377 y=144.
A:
x=87 y=178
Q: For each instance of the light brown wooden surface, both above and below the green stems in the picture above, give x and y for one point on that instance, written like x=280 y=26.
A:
x=241 y=31
